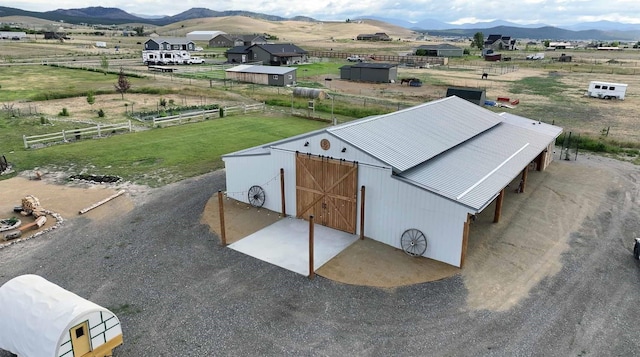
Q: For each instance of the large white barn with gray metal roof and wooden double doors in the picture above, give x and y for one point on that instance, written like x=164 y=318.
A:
x=425 y=171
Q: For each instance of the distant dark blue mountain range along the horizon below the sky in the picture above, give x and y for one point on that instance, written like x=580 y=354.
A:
x=599 y=31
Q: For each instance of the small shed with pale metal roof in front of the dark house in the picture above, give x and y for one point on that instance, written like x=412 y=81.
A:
x=266 y=75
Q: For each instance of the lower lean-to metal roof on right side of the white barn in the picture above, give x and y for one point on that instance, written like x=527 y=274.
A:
x=475 y=172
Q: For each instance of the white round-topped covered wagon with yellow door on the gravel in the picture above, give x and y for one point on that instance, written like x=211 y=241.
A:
x=41 y=319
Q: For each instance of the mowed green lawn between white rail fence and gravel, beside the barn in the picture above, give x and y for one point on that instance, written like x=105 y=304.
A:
x=158 y=156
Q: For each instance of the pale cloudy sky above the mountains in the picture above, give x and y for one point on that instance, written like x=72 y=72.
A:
x=550 y=12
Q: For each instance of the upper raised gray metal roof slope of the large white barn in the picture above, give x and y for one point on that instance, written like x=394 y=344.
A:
x=409 y=137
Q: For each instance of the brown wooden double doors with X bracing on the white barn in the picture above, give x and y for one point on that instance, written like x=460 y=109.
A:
x=328 y=190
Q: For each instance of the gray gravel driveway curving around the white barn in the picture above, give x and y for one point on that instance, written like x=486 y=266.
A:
x=178 y=293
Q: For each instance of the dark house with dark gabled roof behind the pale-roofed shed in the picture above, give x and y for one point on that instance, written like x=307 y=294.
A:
x=268 y=54
